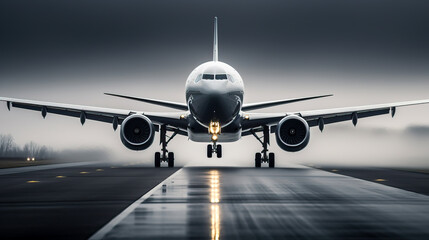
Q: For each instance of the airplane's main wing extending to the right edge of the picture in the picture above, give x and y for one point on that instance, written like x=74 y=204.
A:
x=327 y=116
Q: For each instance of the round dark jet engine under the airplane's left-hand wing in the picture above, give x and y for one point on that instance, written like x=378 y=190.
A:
x=137 y=132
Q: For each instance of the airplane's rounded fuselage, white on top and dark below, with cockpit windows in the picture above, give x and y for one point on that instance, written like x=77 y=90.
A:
x=214 y=92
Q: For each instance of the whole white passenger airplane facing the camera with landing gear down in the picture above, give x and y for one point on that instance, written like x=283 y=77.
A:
x=214 y=113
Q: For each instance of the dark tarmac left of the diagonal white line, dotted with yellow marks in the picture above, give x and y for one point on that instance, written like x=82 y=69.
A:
x=70 y=202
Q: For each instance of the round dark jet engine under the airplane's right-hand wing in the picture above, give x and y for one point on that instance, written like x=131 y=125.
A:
x=292 y=133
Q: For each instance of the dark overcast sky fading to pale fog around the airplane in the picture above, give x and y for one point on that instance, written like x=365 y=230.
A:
x=363 y=52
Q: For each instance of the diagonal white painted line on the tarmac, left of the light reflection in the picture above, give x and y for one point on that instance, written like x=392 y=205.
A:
x=100 y=234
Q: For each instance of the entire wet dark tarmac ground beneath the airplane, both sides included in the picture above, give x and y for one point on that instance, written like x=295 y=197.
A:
x=135 y=202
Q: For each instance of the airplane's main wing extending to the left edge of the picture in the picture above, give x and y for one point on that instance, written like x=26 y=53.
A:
x=108 y=115
